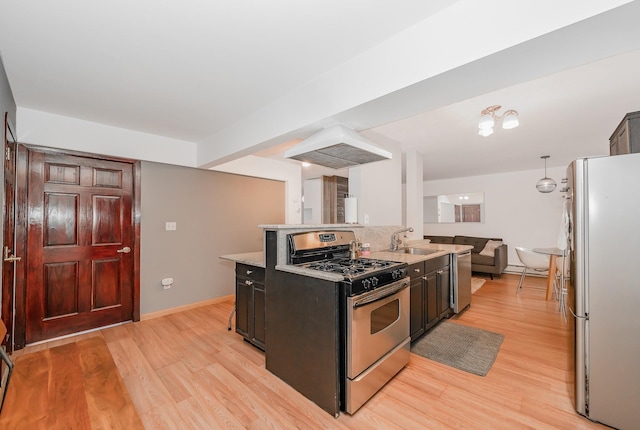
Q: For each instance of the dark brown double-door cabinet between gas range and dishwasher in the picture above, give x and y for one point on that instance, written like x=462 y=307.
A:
x=430 y=290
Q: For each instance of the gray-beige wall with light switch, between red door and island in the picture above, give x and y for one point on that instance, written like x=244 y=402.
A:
x=216 y=214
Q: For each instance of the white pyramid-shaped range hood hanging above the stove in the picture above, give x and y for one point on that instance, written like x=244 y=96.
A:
x=337 y=147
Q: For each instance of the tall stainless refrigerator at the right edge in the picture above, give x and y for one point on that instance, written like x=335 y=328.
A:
x=604 y=290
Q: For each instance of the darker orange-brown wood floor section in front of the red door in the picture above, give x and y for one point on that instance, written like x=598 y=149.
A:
x=75 y=385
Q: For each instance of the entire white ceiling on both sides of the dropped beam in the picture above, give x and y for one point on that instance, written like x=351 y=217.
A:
x=194 y=69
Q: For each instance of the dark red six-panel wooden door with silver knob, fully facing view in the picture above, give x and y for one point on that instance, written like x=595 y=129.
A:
x=80 y=240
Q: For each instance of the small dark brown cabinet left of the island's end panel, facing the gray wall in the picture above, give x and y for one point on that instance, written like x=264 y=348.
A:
x=250 y=303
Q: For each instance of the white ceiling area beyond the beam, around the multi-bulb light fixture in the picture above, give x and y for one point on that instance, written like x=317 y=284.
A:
x=565 y=115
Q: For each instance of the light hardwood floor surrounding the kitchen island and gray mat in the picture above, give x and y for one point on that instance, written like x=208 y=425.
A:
x=186 y=371
